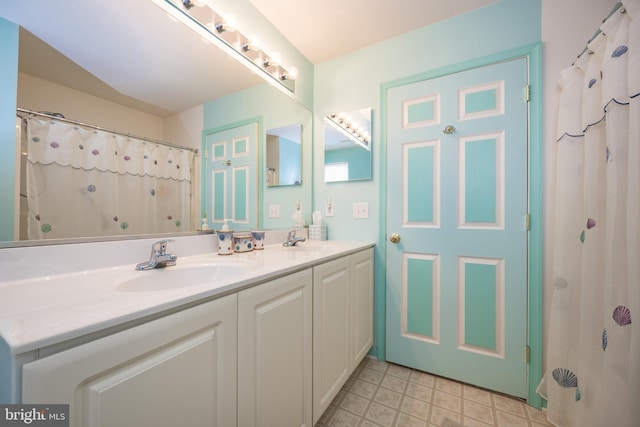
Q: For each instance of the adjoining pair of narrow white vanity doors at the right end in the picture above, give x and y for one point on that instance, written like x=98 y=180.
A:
x=342 y=323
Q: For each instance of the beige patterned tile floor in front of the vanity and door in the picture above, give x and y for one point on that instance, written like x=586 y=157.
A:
x=384 y=394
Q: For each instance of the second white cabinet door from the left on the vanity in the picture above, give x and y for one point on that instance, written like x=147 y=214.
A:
x=274 y=353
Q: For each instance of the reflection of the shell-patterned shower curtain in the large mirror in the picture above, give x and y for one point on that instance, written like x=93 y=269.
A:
x=84 y=182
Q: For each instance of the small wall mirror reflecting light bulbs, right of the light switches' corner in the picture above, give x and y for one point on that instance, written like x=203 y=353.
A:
x=347 y=146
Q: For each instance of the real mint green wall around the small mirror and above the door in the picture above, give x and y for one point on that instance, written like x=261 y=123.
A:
x=354 y=81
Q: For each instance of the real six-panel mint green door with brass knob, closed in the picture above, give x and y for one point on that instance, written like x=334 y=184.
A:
x=457 y=199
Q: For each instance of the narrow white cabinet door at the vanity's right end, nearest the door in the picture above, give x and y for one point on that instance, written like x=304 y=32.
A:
x=361 y=305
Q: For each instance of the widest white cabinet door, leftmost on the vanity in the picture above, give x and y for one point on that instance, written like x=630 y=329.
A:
x=177 y=370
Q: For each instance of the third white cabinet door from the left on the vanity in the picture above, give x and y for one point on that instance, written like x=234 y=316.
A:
x=331 y=331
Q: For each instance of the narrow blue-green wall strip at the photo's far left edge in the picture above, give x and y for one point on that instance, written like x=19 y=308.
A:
x=8 y=85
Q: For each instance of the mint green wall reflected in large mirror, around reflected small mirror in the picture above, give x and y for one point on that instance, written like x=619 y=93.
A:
x=276 y=110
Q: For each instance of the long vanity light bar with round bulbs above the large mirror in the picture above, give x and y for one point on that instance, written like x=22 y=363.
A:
x=239 y=47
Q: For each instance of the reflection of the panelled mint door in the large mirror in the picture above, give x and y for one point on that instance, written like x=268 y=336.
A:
x=230 y=177
